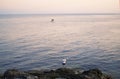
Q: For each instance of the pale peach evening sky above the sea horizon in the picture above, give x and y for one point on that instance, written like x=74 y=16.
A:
x=59 y=6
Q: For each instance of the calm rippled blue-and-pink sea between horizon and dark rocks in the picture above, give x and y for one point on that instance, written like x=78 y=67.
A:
x=87 y=41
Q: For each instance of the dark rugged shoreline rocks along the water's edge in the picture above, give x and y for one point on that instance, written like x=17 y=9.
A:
x=60 y=73
